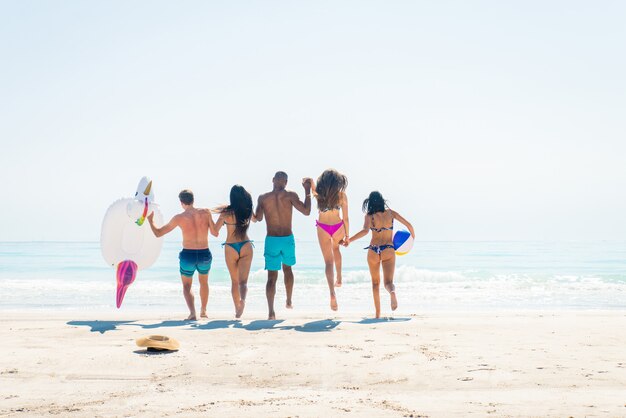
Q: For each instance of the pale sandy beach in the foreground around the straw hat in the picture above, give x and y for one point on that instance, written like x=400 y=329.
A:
x=501 y=364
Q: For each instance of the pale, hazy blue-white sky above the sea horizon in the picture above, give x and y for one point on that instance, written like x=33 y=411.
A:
x=476 y=120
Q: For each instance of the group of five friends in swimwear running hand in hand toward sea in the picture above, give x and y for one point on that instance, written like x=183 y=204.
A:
x=276 y=207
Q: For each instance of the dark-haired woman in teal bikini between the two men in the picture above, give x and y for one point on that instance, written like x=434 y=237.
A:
x=238 y=247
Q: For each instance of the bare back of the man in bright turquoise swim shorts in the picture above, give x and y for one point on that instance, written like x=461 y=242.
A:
x=277 y=207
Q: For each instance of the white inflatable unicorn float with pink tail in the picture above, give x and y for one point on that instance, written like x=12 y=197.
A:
x=126 y=240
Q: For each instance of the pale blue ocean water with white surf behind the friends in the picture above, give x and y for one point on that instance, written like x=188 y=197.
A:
x=441 y=276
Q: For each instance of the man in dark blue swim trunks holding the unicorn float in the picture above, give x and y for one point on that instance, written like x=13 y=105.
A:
x=195 y=224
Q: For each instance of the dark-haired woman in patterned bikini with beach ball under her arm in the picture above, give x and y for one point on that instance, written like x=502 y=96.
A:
x=380 y=253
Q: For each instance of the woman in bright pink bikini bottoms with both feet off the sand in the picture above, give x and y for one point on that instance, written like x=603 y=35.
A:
x=332 y=204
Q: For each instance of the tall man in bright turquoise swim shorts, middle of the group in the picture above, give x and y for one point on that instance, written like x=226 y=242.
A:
x=280 y=246
